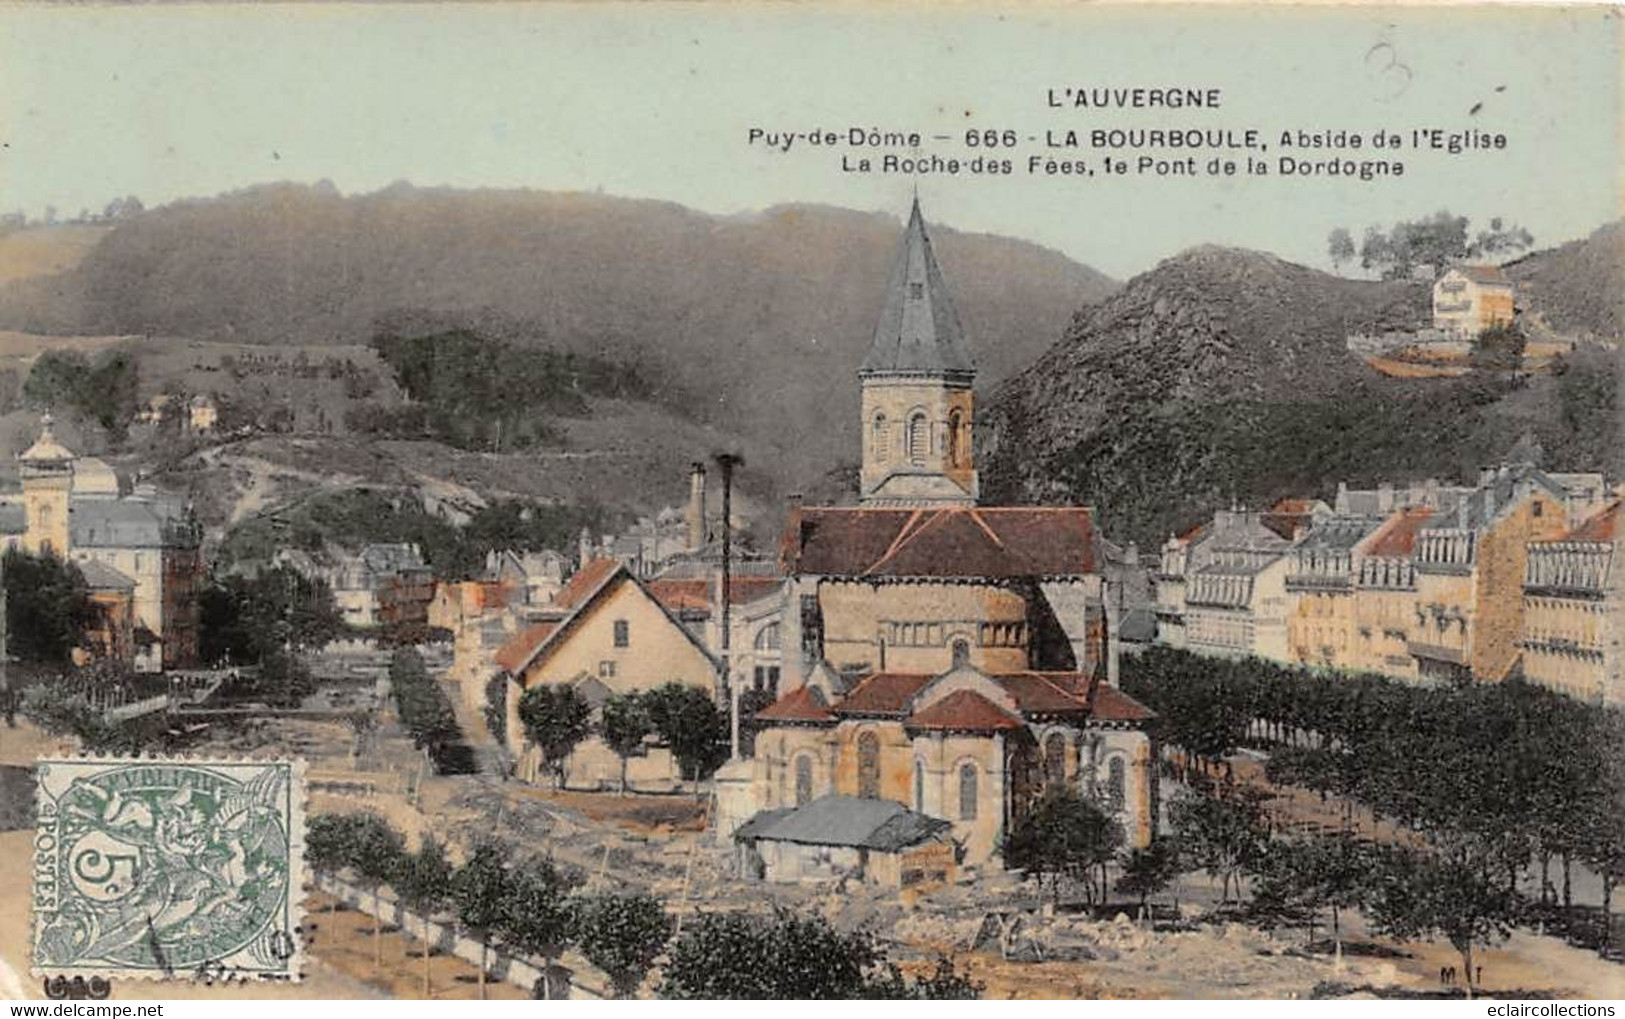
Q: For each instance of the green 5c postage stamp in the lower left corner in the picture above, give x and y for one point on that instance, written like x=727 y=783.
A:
x=168 y=869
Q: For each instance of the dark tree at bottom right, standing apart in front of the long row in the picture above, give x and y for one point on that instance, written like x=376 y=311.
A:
x=1423 y=896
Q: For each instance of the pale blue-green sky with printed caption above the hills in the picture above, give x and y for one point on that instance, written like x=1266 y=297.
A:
x=657 y=102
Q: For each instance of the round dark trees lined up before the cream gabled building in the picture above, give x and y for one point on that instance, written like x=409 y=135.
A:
x=558 y=719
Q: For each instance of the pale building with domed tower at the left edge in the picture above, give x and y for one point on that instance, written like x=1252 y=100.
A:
x=77 y=509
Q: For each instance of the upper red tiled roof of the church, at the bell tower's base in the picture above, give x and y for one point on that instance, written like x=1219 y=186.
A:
x=955 y=542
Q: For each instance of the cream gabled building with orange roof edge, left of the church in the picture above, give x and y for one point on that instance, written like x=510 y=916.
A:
x=604 y=635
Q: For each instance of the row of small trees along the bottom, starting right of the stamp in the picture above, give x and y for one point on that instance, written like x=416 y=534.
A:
x=537 y=909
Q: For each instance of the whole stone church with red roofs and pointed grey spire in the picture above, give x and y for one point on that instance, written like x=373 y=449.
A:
x=950 y=657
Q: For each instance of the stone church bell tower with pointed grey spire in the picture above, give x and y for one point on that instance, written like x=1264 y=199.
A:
x=917 y=376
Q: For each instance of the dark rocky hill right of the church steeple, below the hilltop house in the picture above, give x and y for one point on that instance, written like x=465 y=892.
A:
x=1223 y=376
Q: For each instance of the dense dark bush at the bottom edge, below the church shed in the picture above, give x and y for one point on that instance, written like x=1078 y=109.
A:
x=791 y=956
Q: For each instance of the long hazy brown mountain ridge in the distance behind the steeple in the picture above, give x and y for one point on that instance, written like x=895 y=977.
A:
x=750 y=324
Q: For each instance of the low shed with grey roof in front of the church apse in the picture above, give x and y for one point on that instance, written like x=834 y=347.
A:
x=877 y=841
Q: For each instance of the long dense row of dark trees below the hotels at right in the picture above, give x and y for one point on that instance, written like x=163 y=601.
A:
x=1496 y=778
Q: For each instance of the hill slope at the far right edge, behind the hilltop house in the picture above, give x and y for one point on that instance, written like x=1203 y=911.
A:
x=1579 y=287
